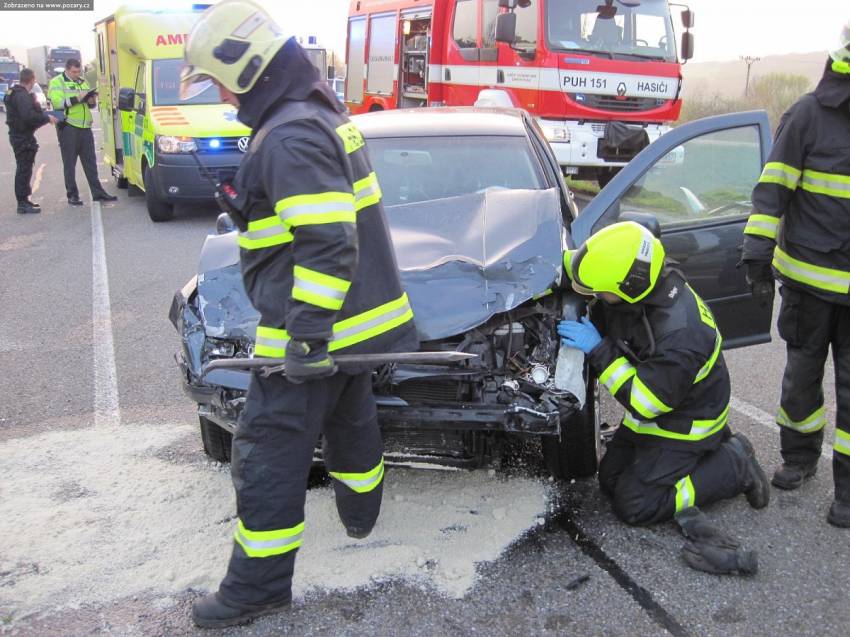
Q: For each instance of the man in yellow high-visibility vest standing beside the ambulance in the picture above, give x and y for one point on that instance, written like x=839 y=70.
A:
x=70 y=93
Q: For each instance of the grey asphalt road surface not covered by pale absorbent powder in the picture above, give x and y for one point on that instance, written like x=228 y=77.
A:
x=583 y=573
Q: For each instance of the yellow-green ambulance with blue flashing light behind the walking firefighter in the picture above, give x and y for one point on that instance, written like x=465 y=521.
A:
x=173 y=150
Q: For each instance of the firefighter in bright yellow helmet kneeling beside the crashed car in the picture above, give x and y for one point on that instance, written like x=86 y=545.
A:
x=661 y=359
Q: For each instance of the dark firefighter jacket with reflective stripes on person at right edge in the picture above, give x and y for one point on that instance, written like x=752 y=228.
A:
x=801 y=204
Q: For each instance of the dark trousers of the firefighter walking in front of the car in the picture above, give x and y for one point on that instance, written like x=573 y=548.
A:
x=272 y=454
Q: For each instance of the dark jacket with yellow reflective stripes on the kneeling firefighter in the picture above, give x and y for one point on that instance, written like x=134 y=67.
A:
x=662 y=360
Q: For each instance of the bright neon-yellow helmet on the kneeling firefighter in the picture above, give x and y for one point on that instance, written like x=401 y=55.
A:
x=624 y=259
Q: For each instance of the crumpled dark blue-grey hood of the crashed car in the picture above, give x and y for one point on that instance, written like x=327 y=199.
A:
x=462 y=260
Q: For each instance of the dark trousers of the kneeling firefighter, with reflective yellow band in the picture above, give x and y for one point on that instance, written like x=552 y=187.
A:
x=650 y=483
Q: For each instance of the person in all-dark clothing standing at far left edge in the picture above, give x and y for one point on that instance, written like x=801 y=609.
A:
x=24 y=116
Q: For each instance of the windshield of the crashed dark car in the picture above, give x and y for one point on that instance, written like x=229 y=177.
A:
x=417 y=169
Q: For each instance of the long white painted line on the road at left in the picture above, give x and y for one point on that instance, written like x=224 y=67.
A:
x=106 y=406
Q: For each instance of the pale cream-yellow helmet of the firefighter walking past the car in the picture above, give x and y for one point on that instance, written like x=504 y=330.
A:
x=232 y=42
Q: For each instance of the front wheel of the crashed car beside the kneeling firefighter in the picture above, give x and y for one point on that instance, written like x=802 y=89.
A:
x=576 y=453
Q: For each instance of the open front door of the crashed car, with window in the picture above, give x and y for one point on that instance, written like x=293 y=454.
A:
x=696 y=182
